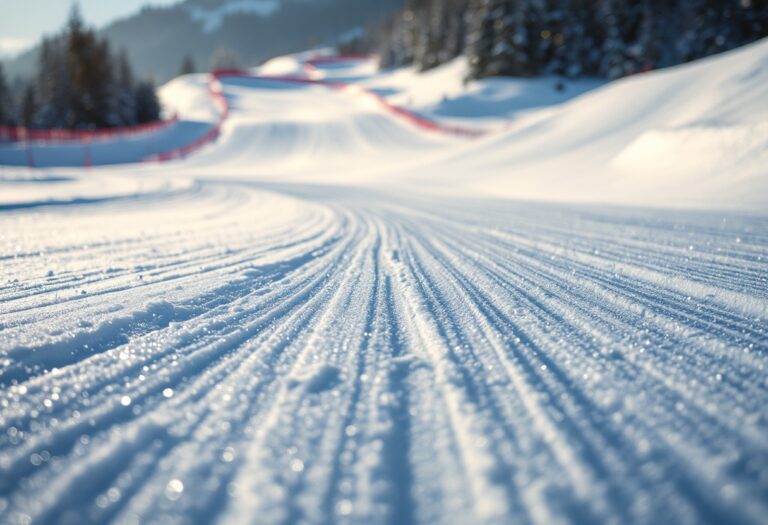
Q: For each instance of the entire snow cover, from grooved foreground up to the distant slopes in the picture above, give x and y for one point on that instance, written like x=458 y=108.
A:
x=331 y=316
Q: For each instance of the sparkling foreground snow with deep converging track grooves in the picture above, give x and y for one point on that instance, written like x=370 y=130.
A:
x=290 y=354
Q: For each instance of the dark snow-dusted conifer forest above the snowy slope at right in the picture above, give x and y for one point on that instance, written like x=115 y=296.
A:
x=600 y=38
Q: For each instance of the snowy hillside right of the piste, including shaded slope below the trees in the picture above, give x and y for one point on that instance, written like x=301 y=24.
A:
x=694 y=134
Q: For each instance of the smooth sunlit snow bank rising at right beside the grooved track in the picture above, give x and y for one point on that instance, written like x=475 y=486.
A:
x=693 y=135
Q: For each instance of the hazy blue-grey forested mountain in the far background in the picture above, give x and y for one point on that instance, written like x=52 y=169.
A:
x=158 y=38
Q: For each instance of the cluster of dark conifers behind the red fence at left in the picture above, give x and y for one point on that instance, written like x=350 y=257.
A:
x=79 y=84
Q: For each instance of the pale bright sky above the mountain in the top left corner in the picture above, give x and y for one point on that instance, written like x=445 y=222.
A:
x=23 y=22
